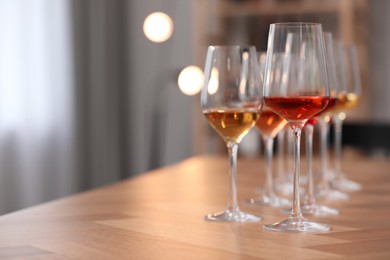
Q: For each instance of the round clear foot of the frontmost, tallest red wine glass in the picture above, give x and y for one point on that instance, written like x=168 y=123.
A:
x=297 y=225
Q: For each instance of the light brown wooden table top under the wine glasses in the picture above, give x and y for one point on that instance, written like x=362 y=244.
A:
x=159 y=215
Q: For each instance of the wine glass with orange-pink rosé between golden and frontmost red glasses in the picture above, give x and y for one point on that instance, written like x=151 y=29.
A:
x=269 y=125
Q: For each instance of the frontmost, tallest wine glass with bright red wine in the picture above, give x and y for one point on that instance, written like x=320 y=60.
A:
x=302 y=93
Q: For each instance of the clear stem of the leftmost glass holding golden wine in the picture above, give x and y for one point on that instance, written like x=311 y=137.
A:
x=232 y=202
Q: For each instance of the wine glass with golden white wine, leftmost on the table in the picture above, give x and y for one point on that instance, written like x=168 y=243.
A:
x=231 y=100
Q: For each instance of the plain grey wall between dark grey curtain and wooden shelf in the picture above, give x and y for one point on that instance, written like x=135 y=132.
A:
x=162 y=116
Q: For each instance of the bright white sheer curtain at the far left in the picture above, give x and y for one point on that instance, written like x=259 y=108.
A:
x=36 y=103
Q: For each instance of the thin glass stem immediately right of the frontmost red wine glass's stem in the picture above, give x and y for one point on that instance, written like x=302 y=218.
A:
x=309 y=154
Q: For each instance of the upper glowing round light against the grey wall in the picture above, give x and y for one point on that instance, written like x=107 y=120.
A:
x=158 y=27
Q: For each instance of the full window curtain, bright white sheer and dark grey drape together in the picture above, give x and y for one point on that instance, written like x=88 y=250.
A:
x=63 y=96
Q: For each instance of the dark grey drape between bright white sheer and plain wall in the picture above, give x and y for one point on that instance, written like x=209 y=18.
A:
x=101 y=90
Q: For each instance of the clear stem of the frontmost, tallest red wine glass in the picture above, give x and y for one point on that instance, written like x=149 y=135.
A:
x=296 y=209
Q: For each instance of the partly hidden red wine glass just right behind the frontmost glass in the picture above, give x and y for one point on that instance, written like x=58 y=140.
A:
x=324 y=189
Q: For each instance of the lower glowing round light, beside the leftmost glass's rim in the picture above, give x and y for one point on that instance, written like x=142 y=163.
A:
x=190 y=80
